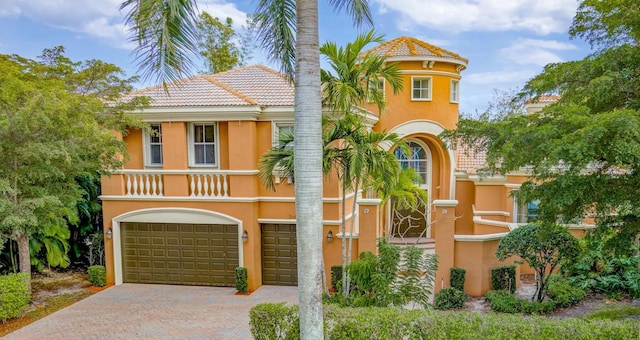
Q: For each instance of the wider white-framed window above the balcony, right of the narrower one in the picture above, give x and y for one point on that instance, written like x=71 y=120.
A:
x=203 y=144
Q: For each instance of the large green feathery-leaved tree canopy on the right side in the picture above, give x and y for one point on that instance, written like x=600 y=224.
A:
x=583 y=151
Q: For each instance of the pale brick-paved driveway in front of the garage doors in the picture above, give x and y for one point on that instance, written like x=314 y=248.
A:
x=136 y=311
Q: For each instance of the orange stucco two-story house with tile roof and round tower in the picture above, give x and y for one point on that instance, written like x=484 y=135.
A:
x=188 y=206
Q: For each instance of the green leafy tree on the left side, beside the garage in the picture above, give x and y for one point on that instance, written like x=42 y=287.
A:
x=57 y=122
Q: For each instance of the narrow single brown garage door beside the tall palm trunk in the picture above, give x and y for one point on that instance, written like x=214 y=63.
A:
x=279 y=255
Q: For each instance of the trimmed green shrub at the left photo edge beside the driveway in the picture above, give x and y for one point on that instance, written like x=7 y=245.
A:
x=14 y=295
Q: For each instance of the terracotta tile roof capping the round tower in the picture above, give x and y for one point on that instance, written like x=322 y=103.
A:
x=408 y=47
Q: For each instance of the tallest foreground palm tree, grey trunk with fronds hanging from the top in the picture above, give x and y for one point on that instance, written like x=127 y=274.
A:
x=165 y=33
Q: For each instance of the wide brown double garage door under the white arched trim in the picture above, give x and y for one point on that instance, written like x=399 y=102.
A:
x=187 y=254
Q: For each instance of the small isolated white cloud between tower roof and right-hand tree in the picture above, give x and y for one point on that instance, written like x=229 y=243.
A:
x=535 y=52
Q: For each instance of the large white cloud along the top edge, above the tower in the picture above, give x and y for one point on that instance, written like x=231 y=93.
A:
x=538 y=16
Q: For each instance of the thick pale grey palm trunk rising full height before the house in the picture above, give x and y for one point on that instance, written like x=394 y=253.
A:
x=308 y=169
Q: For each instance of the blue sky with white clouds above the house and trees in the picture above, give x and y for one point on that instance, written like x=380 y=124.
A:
x=507 y=42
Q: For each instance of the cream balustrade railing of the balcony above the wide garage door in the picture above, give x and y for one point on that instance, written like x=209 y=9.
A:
x=200 y=183
